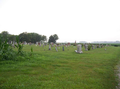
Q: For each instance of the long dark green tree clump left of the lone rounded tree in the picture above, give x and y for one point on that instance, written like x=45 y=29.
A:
x=28 y=37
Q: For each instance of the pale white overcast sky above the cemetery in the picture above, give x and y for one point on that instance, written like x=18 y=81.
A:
x=71 y=20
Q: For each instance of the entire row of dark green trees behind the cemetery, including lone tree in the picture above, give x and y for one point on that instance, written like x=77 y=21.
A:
x=29 y=37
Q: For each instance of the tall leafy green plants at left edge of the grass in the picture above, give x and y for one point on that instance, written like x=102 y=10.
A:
x=7 y=53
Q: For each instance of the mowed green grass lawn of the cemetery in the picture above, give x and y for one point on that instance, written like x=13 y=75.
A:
x=48 y=69
